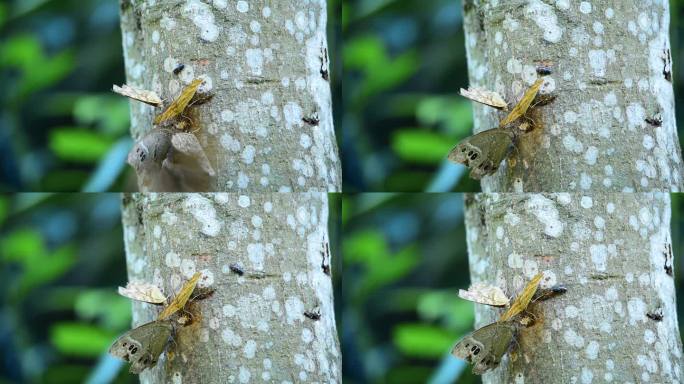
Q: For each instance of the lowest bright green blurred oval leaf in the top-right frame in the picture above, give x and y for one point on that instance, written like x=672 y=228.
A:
x=419 y=146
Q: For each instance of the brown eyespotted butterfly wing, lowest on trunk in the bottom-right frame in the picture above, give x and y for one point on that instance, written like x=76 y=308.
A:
x=485 y=346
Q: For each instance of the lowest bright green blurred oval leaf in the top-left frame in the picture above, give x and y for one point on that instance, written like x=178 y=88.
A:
x=78 y=145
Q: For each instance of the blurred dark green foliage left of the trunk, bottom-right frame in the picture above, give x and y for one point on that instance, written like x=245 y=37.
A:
x=404 y=258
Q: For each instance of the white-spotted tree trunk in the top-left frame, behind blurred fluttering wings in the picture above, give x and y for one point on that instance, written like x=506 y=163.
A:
x=268 y=126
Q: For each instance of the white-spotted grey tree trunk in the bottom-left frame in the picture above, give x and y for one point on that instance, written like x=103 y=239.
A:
x=253 y=328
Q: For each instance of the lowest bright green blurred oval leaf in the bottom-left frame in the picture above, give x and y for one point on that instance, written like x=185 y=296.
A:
x=81 y=340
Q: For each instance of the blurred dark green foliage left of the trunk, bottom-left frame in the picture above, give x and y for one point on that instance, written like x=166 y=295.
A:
x=61 y=258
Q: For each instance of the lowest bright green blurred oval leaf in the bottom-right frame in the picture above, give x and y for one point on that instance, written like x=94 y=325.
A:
x=422 y=341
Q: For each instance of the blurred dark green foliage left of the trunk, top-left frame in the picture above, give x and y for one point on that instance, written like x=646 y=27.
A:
x=61 y=129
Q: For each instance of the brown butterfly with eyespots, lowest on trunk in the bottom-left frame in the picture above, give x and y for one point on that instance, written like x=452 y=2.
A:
x=142 y=346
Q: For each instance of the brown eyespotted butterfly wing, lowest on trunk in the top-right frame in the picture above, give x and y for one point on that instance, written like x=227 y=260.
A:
x=483 y=152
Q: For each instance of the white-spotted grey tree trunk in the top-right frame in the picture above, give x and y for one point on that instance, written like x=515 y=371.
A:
x=612 y=124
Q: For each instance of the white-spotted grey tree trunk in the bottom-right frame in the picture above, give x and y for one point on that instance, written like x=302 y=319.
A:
x=618 y=321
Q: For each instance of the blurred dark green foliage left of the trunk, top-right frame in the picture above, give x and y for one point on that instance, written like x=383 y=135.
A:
x=403 y=64
